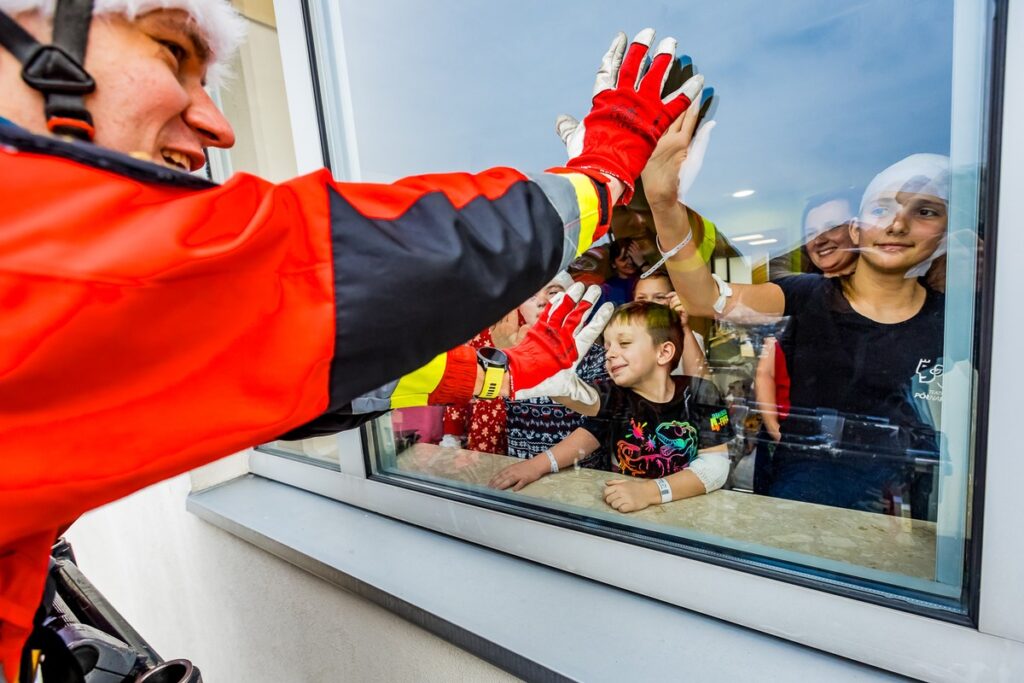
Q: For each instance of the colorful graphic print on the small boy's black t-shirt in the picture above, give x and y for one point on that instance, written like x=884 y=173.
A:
x=653 y=454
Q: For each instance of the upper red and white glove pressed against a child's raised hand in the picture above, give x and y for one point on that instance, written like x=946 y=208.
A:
x=628 y=114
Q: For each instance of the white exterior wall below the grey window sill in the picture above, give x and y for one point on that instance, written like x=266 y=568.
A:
x=240 y=614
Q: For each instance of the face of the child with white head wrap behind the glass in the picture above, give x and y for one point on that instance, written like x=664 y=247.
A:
x=899 y=232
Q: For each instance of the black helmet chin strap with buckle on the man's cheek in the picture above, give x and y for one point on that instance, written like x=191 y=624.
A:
x=57 y=70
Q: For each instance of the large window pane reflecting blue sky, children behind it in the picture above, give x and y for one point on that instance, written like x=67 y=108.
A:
x=839 y=197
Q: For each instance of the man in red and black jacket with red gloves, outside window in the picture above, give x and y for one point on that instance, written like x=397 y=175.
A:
x=157 y=322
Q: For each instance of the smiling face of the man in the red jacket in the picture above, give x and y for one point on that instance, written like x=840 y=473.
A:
x=149 y=100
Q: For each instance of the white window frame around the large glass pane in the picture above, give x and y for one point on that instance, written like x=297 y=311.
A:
x=895 y=641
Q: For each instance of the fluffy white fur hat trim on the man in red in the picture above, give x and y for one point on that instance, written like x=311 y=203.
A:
x=220 y=24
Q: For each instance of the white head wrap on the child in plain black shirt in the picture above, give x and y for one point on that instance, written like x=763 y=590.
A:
x=920 y=175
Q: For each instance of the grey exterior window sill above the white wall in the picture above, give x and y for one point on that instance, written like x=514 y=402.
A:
x=534 y=622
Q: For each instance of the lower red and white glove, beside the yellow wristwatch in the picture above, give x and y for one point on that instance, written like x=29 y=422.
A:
x=557 y=344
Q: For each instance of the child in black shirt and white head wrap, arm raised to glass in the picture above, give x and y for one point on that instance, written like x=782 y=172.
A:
x=865 y=351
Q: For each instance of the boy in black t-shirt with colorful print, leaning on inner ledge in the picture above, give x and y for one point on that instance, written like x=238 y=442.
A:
x=669 y=432
